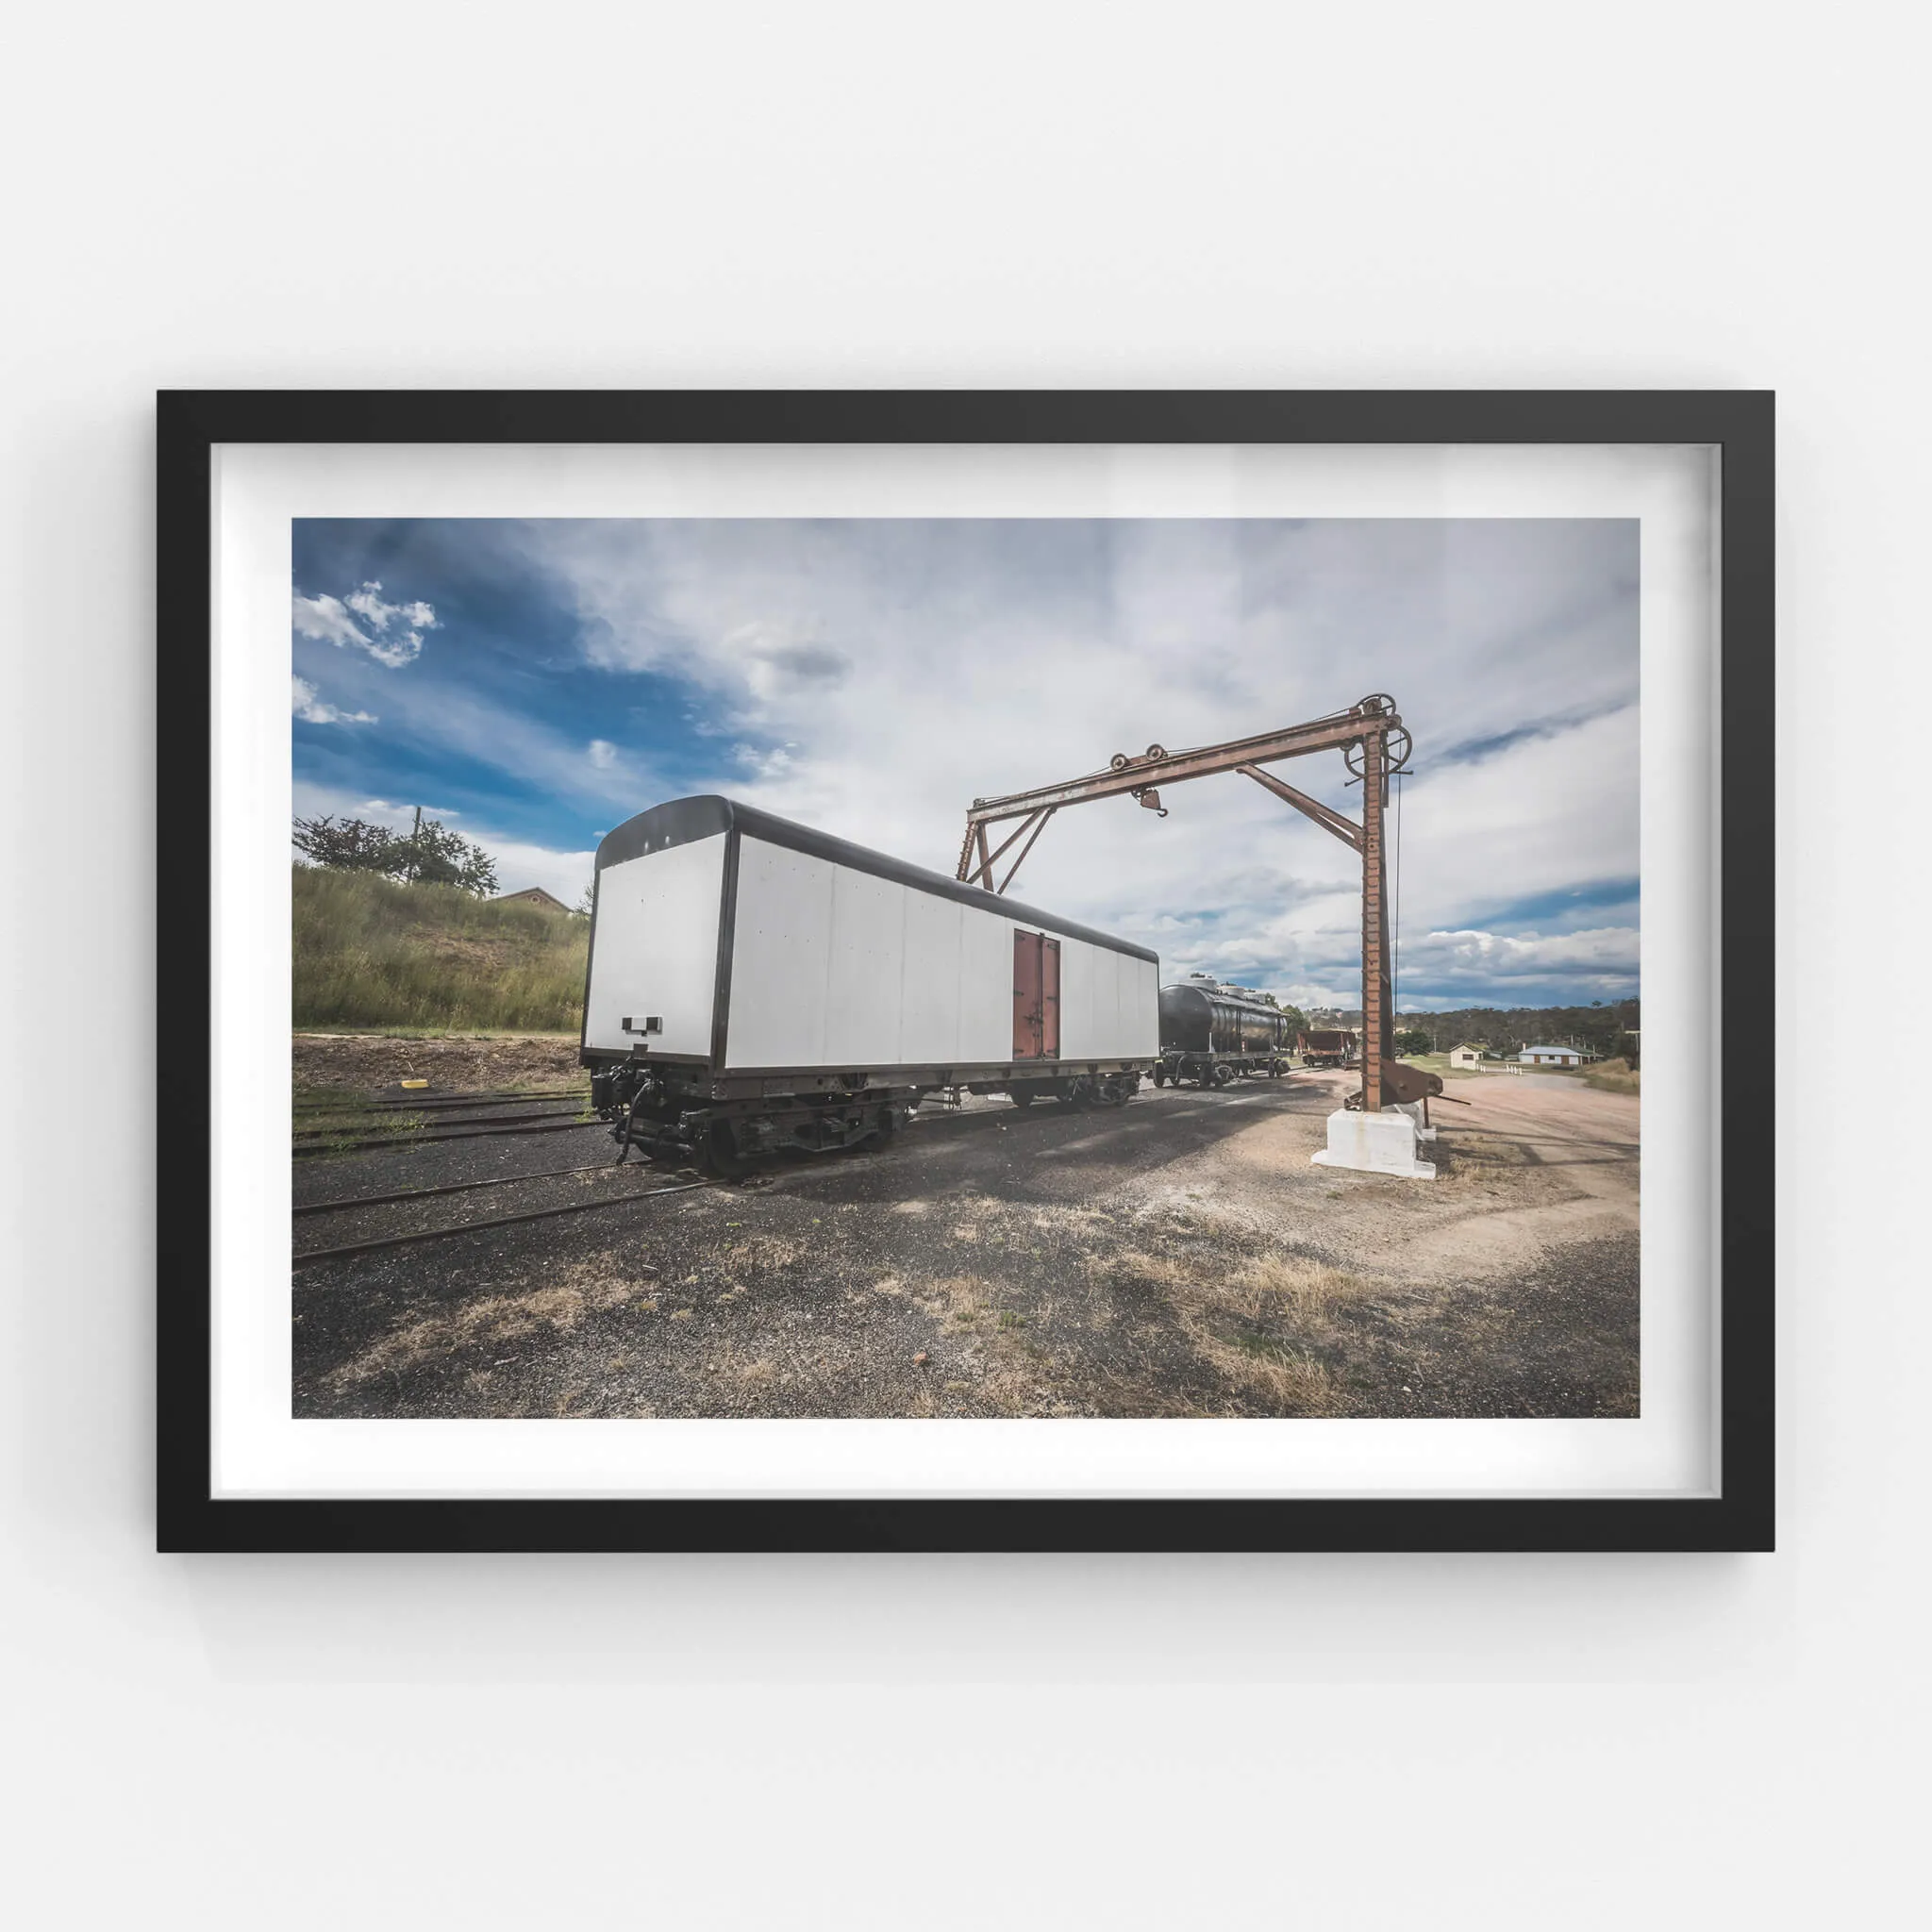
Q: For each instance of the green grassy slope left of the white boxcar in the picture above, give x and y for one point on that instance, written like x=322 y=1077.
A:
x=384 y=955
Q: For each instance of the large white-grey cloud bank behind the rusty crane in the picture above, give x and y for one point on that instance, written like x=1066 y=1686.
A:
x=874 y=677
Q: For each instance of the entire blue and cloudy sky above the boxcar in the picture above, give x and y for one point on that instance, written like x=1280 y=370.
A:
x=538 y=683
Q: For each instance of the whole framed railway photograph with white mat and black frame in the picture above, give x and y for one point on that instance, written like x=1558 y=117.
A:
x=965 y=971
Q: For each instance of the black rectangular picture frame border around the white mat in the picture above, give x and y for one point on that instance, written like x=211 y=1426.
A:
x=194 y=424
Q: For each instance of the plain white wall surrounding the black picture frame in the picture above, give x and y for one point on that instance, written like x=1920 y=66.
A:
x=959 y=196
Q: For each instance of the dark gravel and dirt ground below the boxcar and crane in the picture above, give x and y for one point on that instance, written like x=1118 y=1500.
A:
x=1176 y=1257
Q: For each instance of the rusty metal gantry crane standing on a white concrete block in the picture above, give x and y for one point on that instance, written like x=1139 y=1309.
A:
x=1375 y=747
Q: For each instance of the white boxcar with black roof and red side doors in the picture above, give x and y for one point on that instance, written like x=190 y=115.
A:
x=756 y=986
